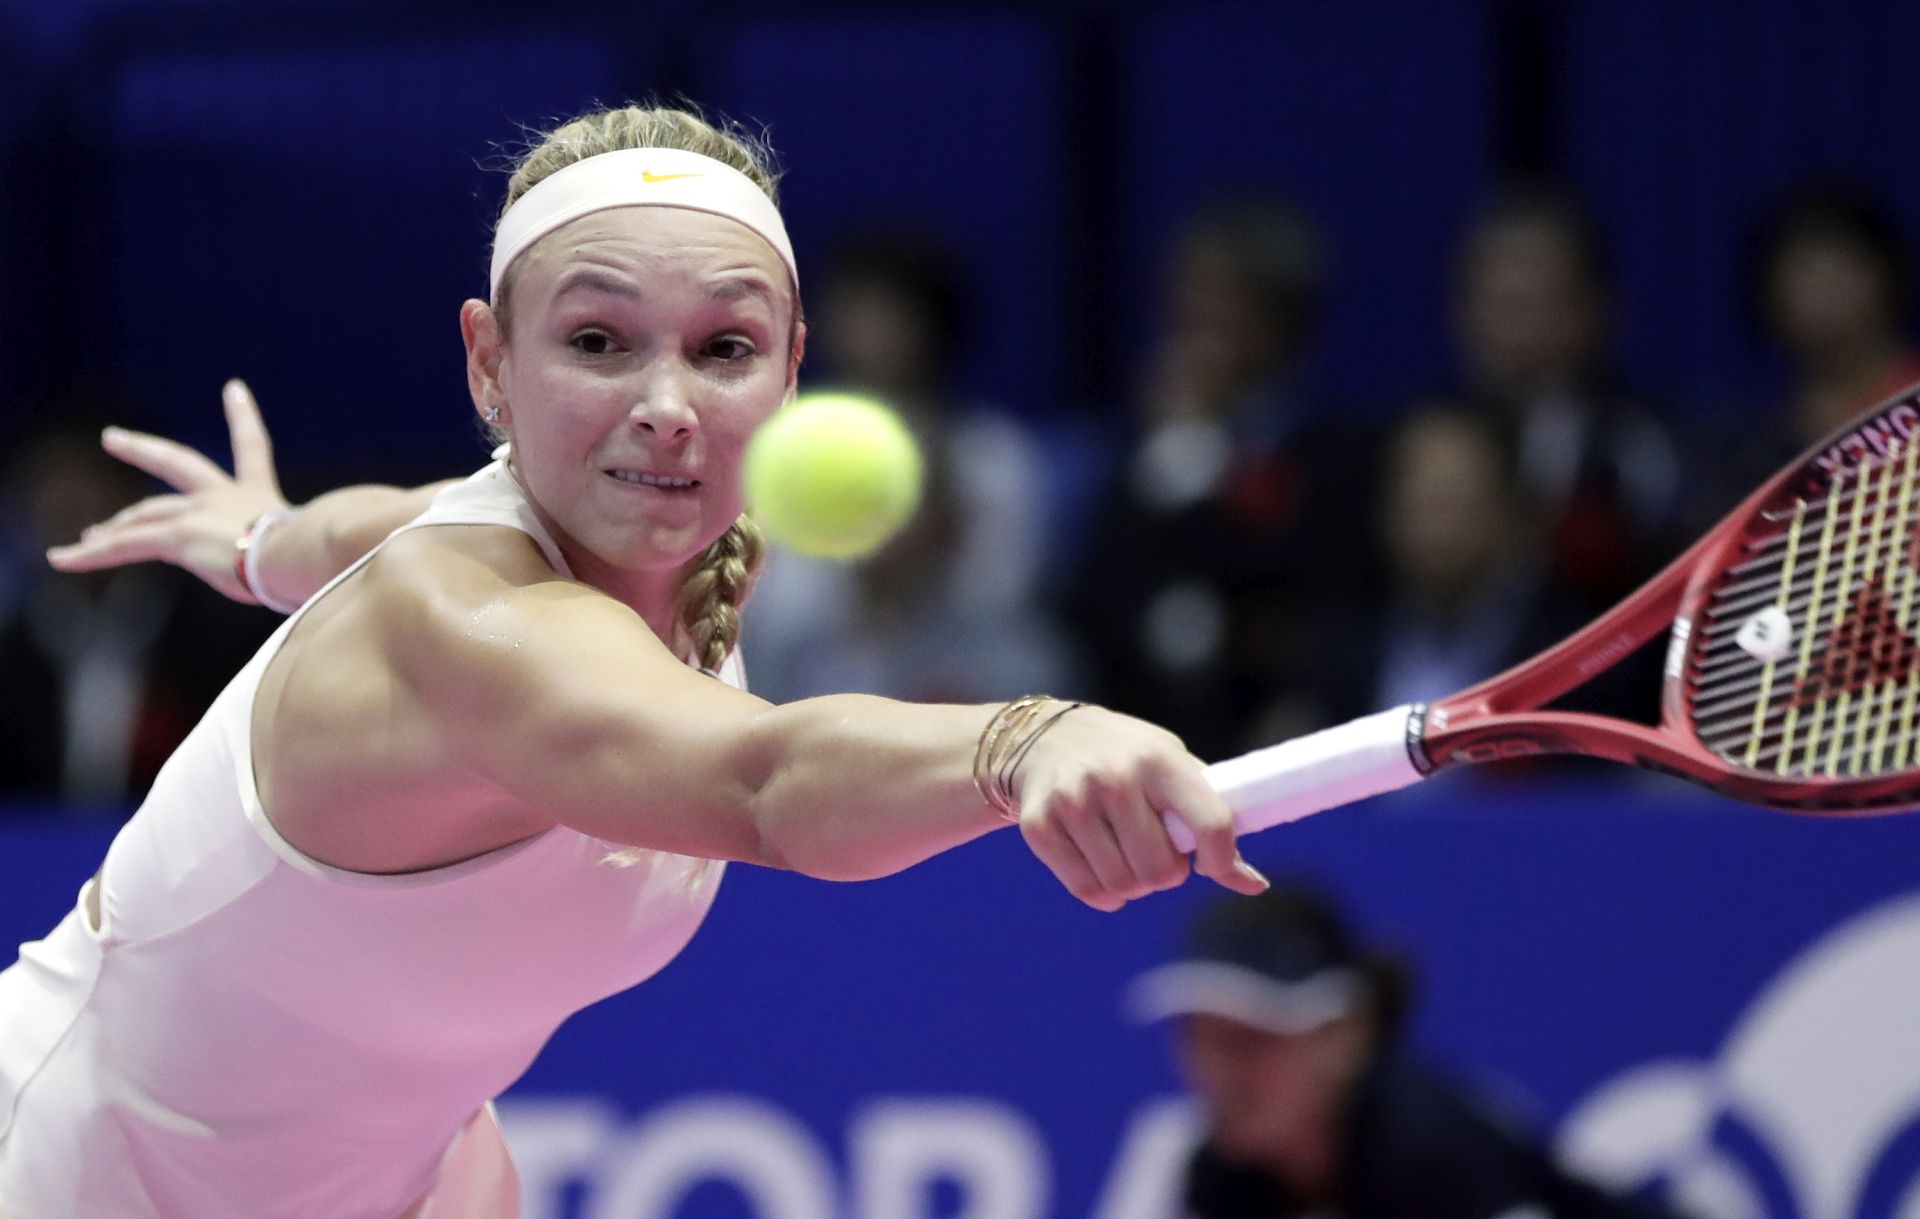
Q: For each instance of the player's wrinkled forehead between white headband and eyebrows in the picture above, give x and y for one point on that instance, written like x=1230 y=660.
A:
x=656 y=247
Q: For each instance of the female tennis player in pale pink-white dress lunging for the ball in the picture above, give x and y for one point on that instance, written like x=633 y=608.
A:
x=494 y=769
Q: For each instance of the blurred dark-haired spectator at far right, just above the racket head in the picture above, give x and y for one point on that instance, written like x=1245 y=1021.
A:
x=1833 y=287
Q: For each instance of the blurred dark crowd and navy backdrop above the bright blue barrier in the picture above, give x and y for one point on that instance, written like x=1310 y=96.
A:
x=1278 y=362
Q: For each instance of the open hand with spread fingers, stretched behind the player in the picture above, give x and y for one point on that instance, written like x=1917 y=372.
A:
x=199 y=523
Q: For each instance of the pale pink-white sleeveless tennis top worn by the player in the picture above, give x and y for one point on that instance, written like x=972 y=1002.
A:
x=258 y=1036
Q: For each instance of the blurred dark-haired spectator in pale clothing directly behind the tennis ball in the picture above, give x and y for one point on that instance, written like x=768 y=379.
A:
x=949 y=609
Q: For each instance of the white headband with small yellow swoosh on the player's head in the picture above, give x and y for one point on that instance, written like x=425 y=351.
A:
x=638 y=178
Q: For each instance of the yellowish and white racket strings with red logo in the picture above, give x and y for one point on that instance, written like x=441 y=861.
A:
x=1840 y=690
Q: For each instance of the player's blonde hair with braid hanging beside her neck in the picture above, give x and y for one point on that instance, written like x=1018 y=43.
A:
x=723 y=577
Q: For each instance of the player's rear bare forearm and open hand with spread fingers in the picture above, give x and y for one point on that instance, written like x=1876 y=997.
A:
x=197 y=525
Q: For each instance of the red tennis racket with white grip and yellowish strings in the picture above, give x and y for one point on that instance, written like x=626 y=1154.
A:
x=1792 y=669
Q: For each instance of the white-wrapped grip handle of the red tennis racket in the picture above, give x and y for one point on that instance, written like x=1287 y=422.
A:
x=1320 y=771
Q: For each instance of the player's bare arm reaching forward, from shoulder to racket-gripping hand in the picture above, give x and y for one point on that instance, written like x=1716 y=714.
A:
x=564 y=700
